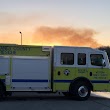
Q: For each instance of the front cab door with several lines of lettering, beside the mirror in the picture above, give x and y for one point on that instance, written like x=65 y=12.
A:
x=97 y=73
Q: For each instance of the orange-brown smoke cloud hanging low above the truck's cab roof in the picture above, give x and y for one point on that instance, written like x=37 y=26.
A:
x=65 y=36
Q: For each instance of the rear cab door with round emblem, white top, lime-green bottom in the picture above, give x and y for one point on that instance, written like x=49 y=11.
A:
x=64 y=68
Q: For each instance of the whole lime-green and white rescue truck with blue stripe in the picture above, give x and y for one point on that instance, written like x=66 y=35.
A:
x=74 y=71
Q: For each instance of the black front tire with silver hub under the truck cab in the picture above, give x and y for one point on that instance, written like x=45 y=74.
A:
x=80 y=90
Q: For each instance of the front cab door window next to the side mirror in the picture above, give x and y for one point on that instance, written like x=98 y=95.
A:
x=96 y=59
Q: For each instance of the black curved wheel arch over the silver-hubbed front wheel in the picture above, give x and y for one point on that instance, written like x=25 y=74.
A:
x=82 y=79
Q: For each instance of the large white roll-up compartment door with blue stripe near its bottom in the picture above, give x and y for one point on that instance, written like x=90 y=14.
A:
x=30 y=72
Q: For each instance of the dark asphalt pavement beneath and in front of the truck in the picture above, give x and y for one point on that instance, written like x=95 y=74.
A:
x=34 y=101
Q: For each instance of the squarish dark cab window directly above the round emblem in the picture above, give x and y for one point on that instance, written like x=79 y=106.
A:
x=67 y=58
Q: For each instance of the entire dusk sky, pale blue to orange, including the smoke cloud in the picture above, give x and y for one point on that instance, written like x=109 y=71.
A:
x=55 y=22
